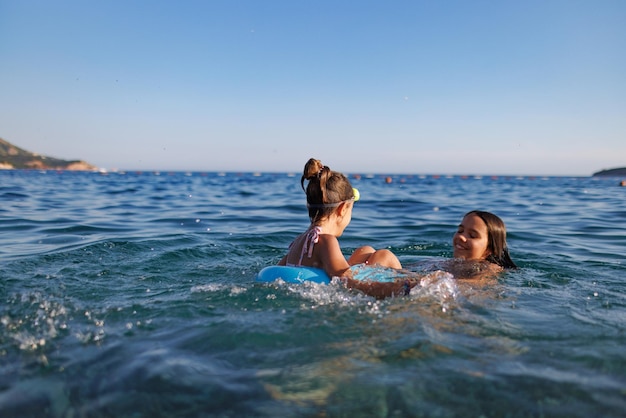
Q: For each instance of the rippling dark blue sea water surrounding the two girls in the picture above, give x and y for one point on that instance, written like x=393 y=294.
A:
x=134 y=295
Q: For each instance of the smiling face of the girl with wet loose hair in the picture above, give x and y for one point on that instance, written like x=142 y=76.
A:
x=471 y=240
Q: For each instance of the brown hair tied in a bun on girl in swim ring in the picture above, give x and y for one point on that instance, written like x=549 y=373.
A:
x=324 y=187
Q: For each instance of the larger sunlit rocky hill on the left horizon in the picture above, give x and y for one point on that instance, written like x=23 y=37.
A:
x=12 y=157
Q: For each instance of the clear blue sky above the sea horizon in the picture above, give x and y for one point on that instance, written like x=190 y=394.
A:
x=445 y=87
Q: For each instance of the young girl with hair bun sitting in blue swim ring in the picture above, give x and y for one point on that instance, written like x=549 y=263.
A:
x=330 y=198
